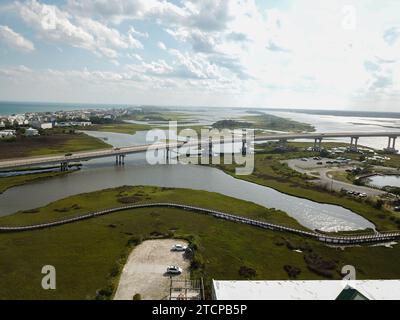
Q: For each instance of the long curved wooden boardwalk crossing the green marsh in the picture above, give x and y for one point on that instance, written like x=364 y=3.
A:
x=329 y=239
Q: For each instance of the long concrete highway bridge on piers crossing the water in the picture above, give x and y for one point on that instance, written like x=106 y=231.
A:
x=120 y=153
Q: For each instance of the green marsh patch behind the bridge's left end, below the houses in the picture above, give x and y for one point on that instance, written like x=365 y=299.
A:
x=50 y=143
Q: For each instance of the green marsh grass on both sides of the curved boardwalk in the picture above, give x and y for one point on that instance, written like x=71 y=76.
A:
x=89 y=255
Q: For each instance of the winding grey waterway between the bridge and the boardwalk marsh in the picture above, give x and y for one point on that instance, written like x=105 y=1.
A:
x=102 y=173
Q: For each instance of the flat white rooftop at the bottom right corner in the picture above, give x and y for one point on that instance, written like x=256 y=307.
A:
x=304 y=290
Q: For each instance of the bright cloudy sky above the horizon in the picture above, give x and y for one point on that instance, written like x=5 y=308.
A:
x=232 y=53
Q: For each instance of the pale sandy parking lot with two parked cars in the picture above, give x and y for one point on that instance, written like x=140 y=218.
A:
x=144 y=272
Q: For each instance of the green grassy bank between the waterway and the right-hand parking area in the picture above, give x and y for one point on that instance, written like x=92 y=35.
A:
x=271 y=173
